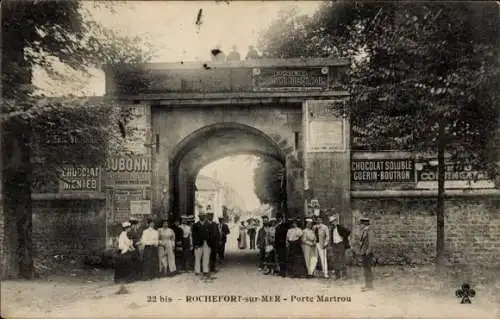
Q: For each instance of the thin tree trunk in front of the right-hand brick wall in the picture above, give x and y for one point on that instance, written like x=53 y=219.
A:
x=440 y=260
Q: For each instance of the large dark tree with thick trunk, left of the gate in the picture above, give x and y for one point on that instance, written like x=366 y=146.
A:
x=55 y=36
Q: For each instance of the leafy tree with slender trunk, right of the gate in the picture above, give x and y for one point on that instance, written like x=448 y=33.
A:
x=426 y=73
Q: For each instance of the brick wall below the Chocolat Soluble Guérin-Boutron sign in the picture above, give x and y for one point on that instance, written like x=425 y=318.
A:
x=405 y=230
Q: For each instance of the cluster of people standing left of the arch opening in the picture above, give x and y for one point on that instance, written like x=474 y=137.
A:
x=174 y=246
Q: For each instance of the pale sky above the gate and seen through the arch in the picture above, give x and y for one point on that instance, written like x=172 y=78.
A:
x=170 y=27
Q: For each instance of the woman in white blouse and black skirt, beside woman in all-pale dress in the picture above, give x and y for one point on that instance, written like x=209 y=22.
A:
x=150 y=261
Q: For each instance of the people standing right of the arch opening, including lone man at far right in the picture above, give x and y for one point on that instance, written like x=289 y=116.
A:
x=297 y=248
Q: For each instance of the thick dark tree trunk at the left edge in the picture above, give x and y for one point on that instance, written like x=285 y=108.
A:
x=17 y=175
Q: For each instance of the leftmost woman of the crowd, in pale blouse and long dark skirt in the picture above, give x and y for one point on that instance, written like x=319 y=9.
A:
x=124 y=263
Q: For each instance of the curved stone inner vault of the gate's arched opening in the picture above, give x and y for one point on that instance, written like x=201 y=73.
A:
x=209 y=144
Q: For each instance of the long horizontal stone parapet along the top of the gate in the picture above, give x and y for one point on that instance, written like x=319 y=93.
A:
x=308 y=75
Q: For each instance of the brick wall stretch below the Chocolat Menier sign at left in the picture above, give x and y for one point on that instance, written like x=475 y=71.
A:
x=73 y=227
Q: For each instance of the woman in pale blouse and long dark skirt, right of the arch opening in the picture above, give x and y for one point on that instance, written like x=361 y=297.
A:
x=296 y=263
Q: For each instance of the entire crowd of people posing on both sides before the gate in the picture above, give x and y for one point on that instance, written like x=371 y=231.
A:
x=290 y=248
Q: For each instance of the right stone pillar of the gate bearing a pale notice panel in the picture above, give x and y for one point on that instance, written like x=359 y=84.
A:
x=327 y=156
